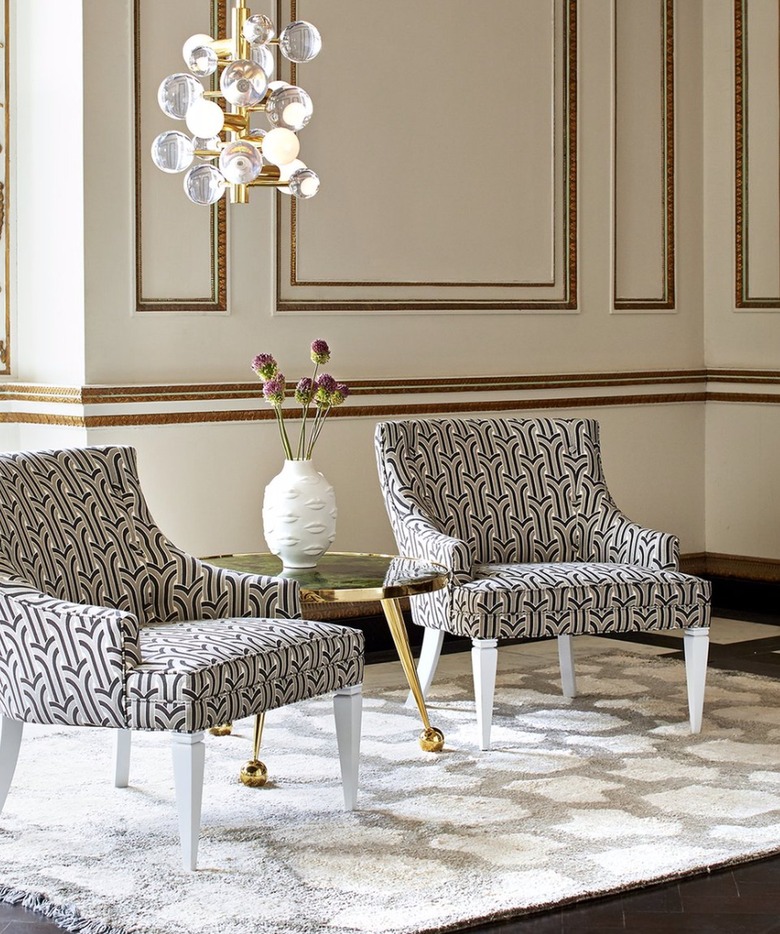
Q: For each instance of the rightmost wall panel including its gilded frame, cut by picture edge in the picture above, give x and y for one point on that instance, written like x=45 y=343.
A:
x=757 y=153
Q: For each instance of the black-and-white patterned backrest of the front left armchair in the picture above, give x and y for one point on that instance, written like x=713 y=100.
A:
x=67 y=526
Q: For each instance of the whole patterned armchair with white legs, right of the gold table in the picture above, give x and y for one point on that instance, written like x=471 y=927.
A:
x=519 y=512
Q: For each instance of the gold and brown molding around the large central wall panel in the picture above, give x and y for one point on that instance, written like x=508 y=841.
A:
x=288 y=240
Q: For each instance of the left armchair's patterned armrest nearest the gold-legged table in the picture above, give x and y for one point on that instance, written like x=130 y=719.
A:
x=194 y=589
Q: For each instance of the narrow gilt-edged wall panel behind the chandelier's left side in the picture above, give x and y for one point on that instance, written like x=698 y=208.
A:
x=180 y=247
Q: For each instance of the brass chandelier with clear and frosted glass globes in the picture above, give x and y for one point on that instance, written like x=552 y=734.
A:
x=223 y=151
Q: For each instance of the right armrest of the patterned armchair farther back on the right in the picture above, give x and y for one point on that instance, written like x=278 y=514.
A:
x=618 y=540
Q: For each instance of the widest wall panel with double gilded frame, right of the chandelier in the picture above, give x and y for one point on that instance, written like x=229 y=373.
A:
x=440 y=190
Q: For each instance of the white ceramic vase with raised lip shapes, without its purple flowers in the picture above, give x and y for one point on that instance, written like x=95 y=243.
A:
x=299 y=514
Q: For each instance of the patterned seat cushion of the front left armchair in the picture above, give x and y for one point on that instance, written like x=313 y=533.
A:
x=198 y=673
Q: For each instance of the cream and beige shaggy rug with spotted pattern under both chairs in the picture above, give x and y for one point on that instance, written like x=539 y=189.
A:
x=577 y=799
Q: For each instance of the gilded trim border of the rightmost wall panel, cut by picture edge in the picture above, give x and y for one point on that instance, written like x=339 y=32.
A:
x=741 y=246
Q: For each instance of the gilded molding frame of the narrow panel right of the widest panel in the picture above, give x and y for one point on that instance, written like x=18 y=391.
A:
x=666 y=138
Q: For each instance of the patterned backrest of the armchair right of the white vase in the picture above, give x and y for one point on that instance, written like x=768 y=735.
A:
x=514 y=489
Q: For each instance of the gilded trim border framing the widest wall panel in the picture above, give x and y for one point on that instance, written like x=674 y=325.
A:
x=569 y=212
